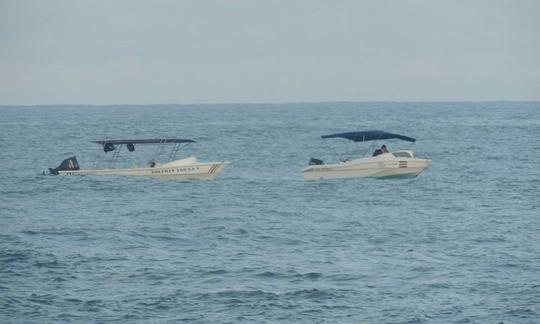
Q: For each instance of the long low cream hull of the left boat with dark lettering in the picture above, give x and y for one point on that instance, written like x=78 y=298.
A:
x=206 y=170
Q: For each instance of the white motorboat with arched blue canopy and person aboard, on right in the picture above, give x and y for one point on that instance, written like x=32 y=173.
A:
x=382 y=163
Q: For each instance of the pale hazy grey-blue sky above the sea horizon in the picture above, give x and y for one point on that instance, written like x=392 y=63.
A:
x=163 y=52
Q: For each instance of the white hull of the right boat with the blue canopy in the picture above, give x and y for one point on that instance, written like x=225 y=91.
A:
x=385 y=165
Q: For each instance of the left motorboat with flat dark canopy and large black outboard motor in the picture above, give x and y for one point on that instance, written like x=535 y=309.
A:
x=186 y=168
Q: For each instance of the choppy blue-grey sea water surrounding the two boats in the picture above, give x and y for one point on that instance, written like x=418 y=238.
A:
x=459 y=243
